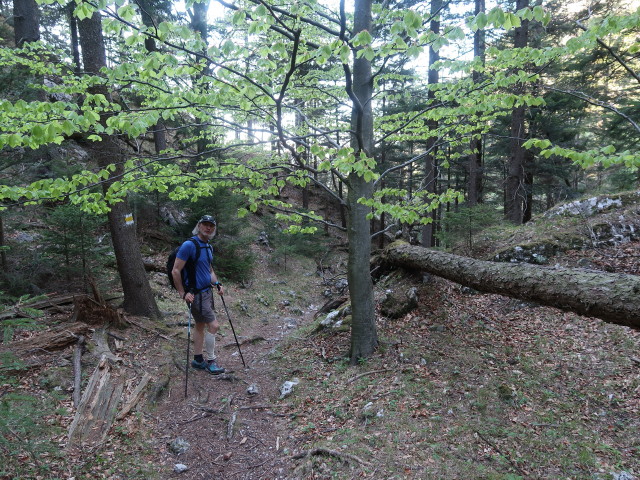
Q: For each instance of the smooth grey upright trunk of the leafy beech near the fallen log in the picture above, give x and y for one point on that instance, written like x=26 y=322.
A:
x=364 y=337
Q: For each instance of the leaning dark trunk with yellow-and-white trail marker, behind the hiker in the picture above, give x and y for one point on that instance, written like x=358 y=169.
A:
x=138 y=297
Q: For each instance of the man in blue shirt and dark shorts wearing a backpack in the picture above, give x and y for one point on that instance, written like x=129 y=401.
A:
x=199 y=297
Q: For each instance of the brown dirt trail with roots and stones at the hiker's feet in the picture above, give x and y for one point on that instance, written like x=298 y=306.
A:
x=231 y=433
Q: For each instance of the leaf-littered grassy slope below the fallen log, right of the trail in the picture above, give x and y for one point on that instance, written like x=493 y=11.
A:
x=498 y=391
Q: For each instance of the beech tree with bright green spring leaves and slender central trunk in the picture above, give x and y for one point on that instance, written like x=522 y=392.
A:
x=267 y=78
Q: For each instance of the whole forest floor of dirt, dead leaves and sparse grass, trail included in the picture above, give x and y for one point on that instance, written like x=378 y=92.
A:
x=466 y=386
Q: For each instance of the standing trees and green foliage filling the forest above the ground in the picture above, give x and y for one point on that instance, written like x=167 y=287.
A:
x=422 y=120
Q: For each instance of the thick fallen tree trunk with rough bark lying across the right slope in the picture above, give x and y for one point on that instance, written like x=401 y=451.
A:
x=614 y=298
